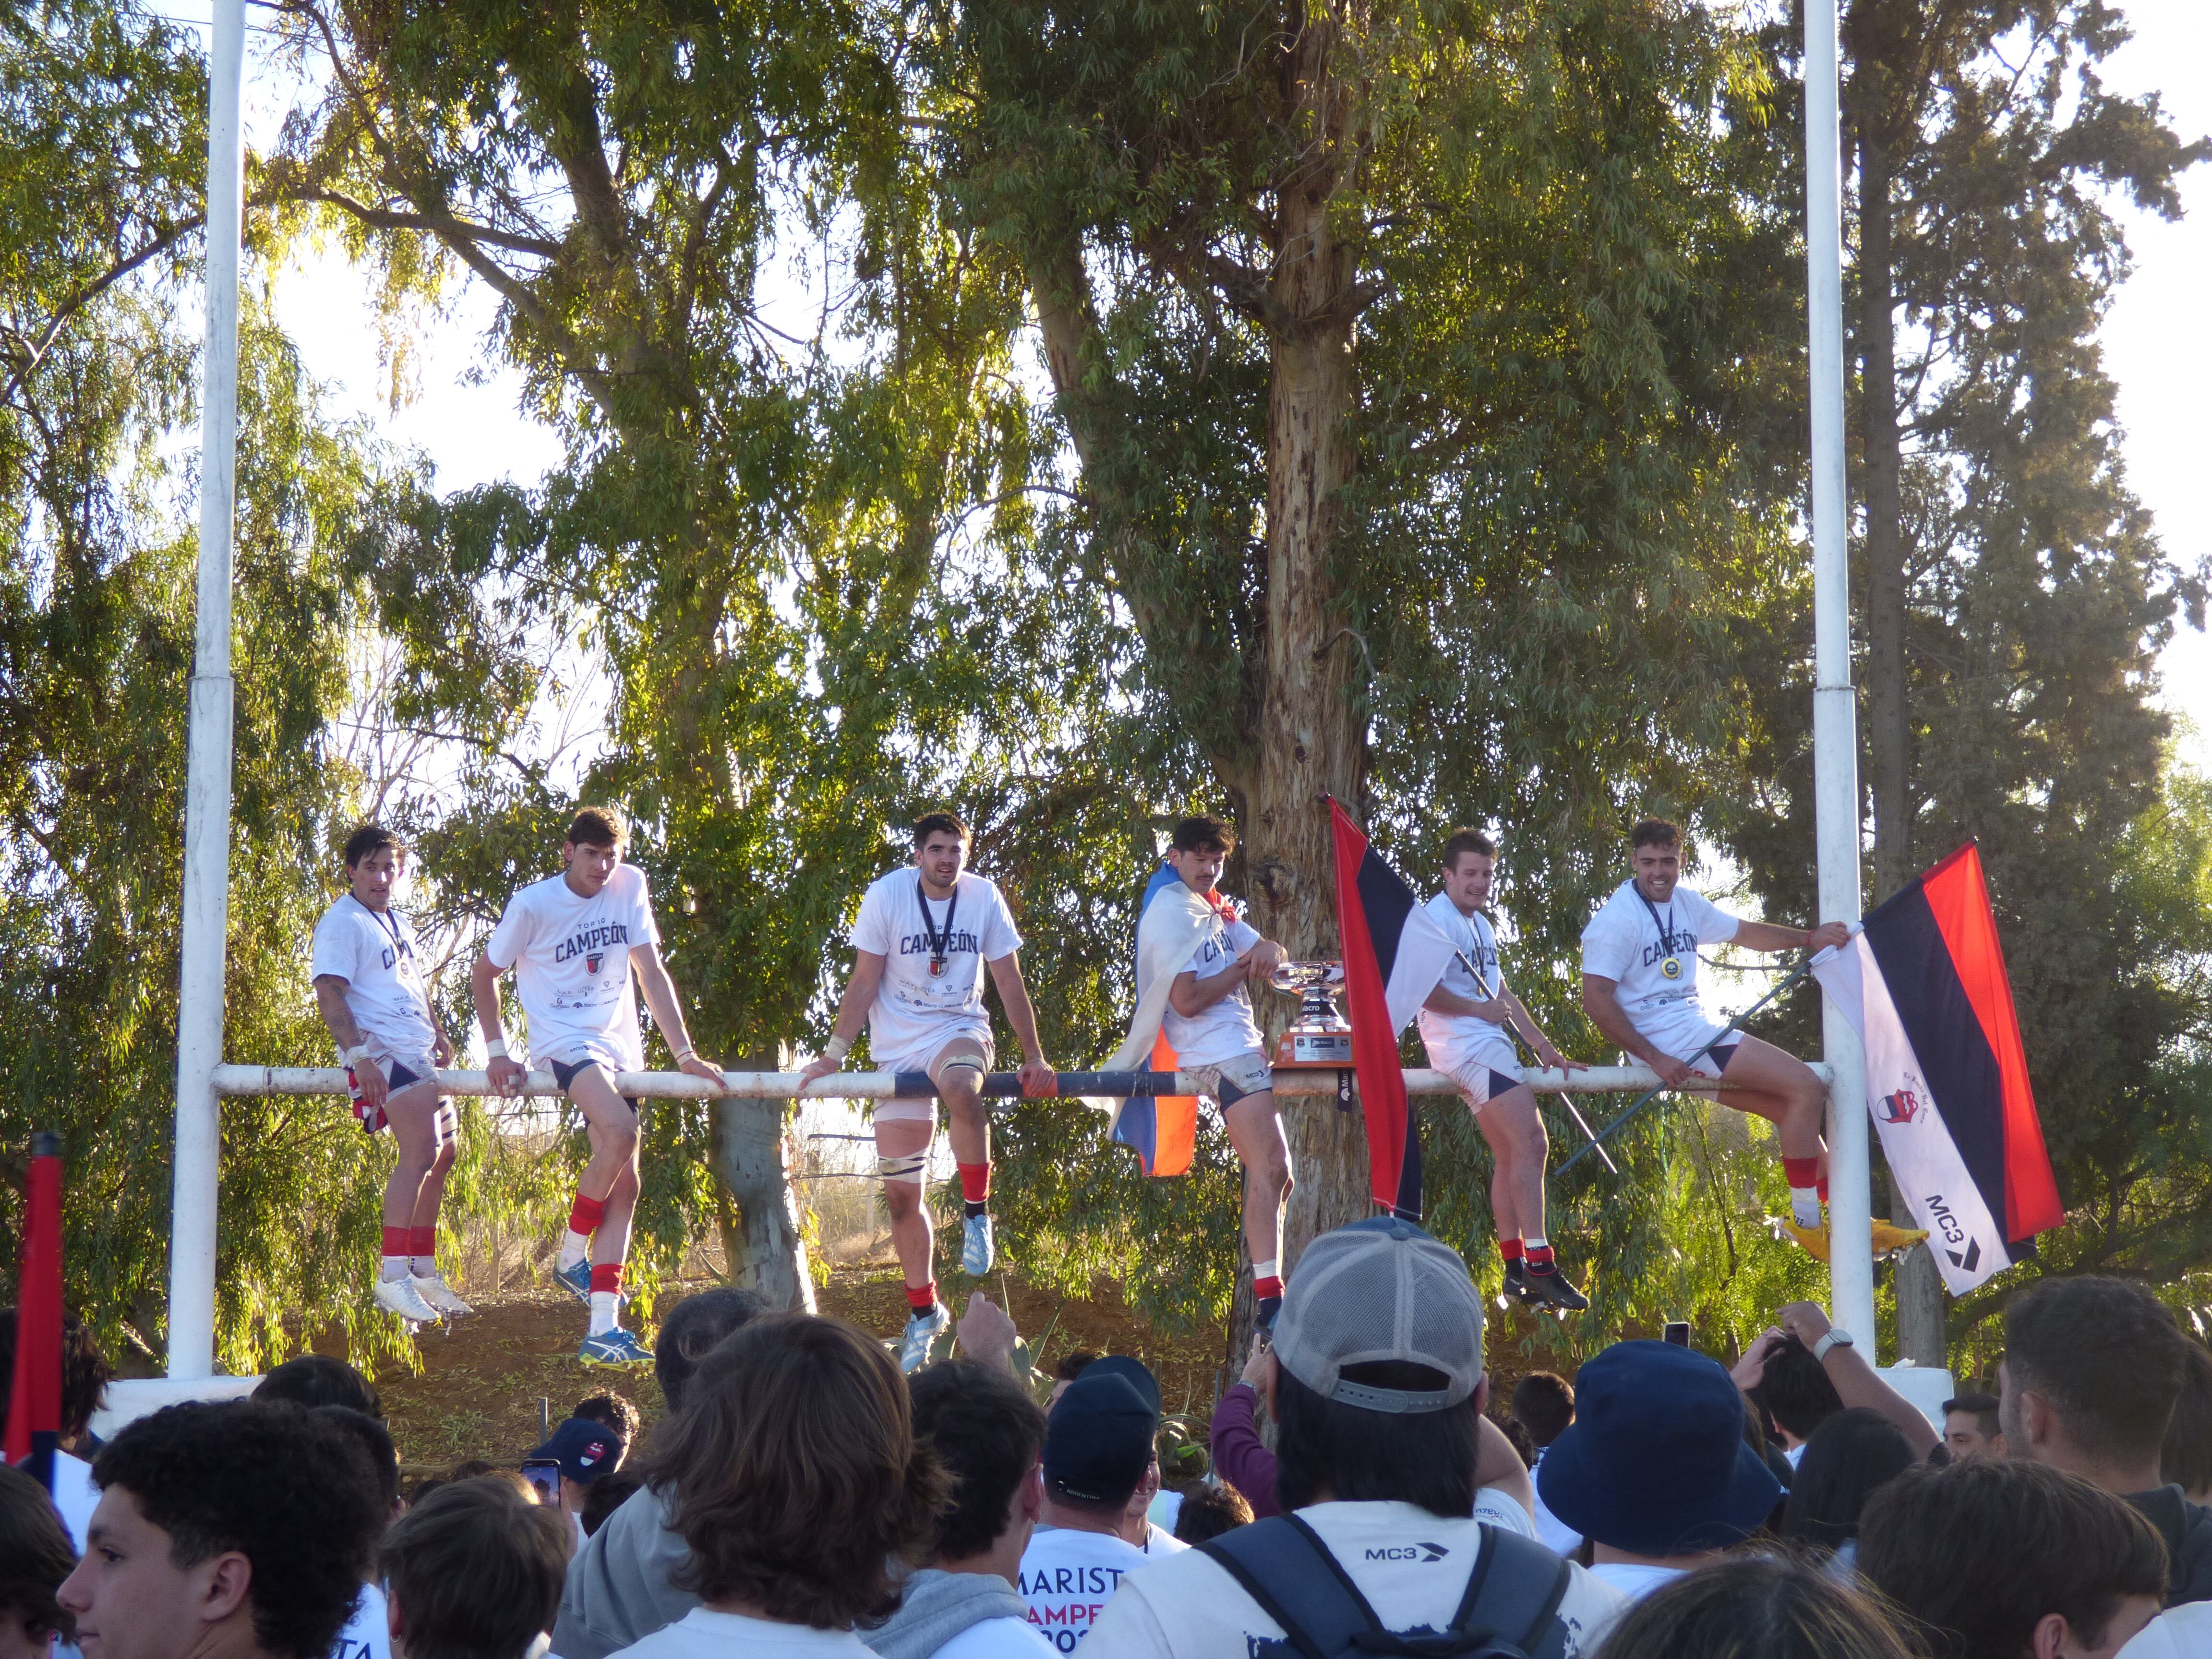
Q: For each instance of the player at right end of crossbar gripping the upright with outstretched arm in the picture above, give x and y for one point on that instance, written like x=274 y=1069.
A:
x=1640 y=990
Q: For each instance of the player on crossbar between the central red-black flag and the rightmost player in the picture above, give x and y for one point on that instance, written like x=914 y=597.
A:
x=1468 y=1025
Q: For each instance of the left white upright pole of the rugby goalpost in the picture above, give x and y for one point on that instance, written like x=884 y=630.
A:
x=207 y=791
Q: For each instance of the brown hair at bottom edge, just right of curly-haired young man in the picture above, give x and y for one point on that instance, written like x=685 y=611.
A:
x=477 y=1572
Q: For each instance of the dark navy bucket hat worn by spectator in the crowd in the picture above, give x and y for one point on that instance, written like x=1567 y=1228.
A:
x=1656 y=1461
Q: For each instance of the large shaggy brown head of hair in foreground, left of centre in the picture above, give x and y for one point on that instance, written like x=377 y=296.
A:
x=797 y=1417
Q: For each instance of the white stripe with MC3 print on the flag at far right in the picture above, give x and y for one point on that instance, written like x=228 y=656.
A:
x=1926 y=1165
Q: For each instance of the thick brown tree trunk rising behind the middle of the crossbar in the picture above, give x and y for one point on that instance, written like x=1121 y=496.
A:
x=1311 y=740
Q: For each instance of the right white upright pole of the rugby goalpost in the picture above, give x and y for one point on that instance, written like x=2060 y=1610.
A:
x=1835 y=718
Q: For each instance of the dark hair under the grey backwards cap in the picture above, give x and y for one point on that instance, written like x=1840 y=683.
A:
x=1423 y=1459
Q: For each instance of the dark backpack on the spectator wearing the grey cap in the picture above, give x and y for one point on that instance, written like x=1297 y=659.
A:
x=1507 y=1614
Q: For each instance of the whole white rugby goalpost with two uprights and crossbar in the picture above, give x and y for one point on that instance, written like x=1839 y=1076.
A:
x=205 y=1081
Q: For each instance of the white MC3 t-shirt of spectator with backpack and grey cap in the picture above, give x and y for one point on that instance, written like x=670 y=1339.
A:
x=1410 y=1565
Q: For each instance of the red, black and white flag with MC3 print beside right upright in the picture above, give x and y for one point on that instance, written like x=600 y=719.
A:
x=1948 y=1081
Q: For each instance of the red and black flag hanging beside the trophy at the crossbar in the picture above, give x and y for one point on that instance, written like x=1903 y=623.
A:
x=1395 y=957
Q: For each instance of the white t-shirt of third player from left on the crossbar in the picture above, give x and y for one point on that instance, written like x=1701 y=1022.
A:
x=919 y=1012
